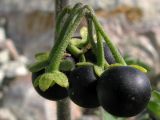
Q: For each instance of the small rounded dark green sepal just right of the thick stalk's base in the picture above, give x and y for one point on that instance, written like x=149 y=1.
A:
x=67 y=65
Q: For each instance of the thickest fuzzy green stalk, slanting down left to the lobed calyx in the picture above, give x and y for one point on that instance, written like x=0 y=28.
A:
x=58 y=53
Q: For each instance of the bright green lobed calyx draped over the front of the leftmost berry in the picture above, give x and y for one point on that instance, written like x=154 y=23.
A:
x=49 y=79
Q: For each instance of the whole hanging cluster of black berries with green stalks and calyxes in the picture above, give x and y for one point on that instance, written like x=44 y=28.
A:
x=89 y=68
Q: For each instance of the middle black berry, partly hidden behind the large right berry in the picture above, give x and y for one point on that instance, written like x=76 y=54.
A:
x=82 y=88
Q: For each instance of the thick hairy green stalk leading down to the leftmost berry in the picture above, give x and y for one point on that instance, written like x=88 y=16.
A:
x=69 y=28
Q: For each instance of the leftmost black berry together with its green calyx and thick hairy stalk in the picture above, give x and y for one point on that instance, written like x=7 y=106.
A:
x=51 y=77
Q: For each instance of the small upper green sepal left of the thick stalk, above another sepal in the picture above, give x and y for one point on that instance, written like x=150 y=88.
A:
x=42 y=56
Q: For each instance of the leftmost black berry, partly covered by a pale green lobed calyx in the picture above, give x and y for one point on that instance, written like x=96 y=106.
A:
x=55 y=92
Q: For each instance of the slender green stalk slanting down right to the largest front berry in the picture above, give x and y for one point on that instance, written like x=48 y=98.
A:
x=112 y=47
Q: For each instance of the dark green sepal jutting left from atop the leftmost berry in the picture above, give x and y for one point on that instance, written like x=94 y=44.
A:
x=39 y=65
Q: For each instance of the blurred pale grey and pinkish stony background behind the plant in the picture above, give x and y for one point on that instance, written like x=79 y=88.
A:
x=26 y=27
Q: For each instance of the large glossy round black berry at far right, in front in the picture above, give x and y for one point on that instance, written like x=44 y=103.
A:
x=123 y=91
